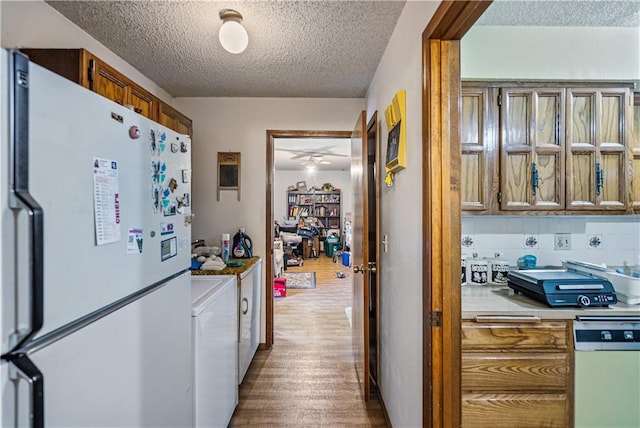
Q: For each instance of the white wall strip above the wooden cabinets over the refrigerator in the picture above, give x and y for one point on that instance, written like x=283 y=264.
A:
x=35 y=24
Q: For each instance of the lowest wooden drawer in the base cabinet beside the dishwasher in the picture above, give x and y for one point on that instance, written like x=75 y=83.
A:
x=515 y=411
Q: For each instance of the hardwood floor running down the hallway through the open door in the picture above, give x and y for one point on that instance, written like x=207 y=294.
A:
x=308 y=377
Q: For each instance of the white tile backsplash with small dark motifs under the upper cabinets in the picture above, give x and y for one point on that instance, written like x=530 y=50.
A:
x=614 y=240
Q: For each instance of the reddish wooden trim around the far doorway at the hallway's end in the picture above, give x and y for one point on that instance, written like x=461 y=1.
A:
x=268 y=287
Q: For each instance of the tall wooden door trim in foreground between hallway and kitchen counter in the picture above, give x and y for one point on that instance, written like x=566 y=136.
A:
x=441 y=209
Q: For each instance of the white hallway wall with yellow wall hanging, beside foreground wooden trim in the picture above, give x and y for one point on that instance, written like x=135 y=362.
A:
x=400 y=376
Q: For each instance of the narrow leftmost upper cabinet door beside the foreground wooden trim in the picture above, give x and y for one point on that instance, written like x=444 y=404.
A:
x=477 y=153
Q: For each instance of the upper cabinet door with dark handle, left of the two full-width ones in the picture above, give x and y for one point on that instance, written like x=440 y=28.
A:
x=532 y=149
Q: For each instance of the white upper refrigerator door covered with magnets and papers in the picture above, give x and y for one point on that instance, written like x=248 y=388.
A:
x=115 y=192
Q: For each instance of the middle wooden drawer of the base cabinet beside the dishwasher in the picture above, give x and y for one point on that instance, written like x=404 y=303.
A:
x=511 y=372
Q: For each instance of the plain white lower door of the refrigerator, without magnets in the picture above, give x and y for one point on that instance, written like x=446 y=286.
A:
x=131 y=368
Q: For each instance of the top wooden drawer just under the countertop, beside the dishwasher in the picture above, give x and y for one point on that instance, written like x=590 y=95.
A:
x=546 y=335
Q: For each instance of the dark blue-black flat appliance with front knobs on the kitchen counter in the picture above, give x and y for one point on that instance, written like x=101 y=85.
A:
x=563 y=288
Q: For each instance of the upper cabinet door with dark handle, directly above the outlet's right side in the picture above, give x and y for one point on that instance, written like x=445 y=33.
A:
x=597 y=135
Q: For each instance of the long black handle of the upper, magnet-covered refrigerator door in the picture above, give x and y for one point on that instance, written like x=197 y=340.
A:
x=22 y=199
